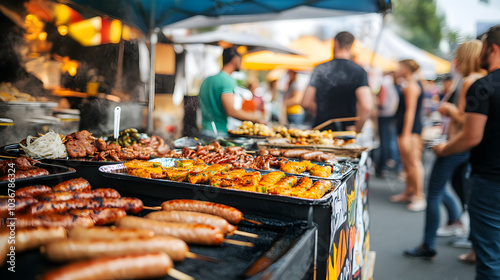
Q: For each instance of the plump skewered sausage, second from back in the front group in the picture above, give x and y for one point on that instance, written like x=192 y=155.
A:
x=193 y=218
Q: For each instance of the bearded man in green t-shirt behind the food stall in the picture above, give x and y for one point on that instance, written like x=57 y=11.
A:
x=217 y=97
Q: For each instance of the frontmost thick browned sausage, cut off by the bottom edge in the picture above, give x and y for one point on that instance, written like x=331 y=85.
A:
x=124 y=267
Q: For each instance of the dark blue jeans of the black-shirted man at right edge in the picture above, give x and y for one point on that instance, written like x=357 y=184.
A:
x=484 y=210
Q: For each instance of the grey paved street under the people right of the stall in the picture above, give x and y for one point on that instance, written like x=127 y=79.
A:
x=394 y=229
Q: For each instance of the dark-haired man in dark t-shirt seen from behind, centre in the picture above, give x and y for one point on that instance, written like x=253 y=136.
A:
x=339 y=89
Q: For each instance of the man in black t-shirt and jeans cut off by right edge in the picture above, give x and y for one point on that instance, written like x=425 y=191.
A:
x=481 y=134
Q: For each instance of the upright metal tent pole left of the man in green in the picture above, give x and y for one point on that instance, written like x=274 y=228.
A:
x=153 y=39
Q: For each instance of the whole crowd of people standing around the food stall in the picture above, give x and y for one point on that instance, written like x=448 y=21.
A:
x=468 y=105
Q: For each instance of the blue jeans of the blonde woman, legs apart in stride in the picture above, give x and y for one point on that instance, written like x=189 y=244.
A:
x=442 y=172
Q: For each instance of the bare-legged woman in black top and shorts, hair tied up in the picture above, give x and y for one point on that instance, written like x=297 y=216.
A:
x=409 y=126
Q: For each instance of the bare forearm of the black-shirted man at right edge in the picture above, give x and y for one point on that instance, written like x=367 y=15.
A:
x=470 y=136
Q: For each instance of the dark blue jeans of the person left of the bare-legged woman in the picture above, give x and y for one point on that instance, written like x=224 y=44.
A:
x=388 y=144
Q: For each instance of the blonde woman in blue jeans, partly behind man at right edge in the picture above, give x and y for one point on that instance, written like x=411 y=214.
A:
x=468 y=65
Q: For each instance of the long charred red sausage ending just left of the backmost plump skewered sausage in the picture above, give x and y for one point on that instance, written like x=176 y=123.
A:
x=131 y=205
